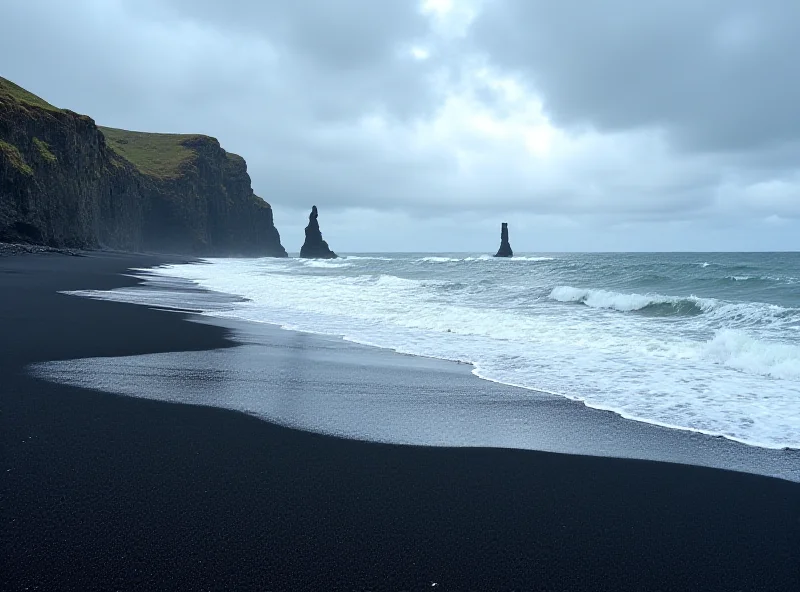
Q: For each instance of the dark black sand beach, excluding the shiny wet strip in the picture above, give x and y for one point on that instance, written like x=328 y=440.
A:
x=103 y=492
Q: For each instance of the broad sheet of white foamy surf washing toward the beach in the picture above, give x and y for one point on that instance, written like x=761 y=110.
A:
x=723 y=371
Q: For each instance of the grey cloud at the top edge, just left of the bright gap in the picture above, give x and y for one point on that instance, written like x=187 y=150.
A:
x=344 y=56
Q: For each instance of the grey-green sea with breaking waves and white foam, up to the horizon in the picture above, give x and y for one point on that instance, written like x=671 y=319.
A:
x=701 y=342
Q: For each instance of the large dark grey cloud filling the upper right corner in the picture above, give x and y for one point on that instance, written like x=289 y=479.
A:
x=718 y=74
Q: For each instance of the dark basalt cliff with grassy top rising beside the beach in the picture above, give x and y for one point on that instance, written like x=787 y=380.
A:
x=65 y=182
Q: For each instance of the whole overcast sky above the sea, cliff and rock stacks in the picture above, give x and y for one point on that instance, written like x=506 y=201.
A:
x=615 y=125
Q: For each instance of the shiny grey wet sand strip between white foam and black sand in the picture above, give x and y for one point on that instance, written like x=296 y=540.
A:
x=327 y=385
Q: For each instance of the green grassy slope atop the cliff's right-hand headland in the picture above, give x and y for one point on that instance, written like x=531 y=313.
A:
x=157 y=155
